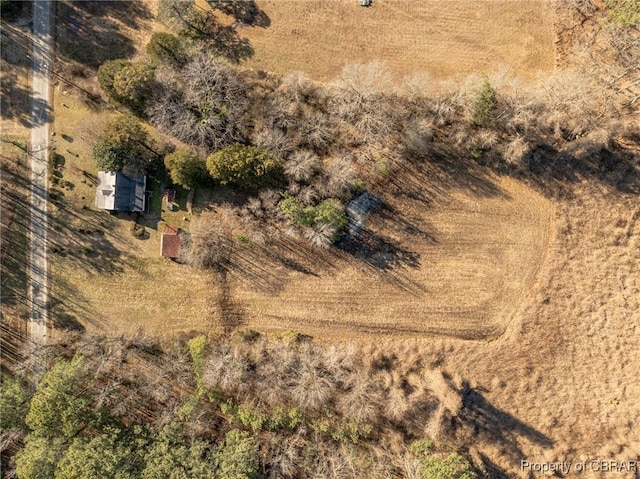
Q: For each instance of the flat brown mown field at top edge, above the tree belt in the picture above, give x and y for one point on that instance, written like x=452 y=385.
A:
x=440 y=38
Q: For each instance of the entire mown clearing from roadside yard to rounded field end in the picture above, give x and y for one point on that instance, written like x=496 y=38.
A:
x=445 y=255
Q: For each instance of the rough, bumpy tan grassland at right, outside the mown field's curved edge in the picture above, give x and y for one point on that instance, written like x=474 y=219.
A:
x=561 y=383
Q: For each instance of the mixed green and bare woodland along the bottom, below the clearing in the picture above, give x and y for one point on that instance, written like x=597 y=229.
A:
x=249 y=407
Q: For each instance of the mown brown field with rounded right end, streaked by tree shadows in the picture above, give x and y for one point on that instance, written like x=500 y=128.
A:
x=453 y=262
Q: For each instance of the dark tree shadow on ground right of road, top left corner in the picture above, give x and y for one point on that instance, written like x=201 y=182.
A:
x=88 y=33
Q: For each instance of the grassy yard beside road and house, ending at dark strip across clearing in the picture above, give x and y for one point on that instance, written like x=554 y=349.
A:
x=103 y=277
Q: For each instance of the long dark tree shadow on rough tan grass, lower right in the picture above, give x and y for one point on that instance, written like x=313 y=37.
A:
x=494 y=426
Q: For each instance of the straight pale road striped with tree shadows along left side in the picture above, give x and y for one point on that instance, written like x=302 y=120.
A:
x=40 y=118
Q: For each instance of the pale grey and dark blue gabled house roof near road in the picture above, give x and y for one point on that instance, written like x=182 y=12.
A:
x=120 y=192
